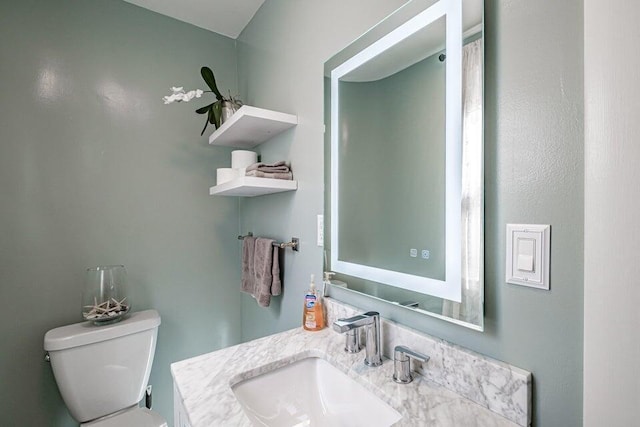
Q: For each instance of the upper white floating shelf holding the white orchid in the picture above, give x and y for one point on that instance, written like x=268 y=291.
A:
x=250 y=126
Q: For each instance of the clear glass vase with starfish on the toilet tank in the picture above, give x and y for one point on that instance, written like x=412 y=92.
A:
x=105 y=298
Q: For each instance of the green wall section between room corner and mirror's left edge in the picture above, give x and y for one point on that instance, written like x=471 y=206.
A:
x=281 y=57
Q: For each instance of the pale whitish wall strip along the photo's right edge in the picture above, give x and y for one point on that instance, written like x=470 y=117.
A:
x=612 y=152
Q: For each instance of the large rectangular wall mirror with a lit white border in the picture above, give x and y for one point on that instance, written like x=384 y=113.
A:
x=404 y=137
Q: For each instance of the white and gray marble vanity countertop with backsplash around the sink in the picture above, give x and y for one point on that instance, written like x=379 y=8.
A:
x=456 y=387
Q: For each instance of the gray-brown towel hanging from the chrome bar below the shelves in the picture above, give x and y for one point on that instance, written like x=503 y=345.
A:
x=260 y=269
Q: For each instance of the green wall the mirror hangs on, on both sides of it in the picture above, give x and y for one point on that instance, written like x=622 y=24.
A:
x=534 y=163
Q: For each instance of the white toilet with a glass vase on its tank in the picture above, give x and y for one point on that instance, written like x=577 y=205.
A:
x=102 y=371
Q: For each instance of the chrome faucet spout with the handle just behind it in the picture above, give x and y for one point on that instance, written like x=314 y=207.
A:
x=371 y=323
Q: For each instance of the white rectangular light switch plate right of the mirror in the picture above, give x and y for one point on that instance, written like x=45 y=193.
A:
x=528 y=250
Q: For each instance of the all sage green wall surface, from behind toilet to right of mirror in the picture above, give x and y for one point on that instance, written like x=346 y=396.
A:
x=95 y=170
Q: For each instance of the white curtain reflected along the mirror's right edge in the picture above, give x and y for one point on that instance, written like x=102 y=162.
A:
x=470 y=310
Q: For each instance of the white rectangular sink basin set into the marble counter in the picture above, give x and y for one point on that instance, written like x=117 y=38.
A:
x=311 y=392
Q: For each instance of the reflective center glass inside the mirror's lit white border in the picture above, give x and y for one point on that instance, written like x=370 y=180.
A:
x=392 y=159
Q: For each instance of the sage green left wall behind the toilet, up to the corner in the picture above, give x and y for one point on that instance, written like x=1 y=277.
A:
x=94 y=169
